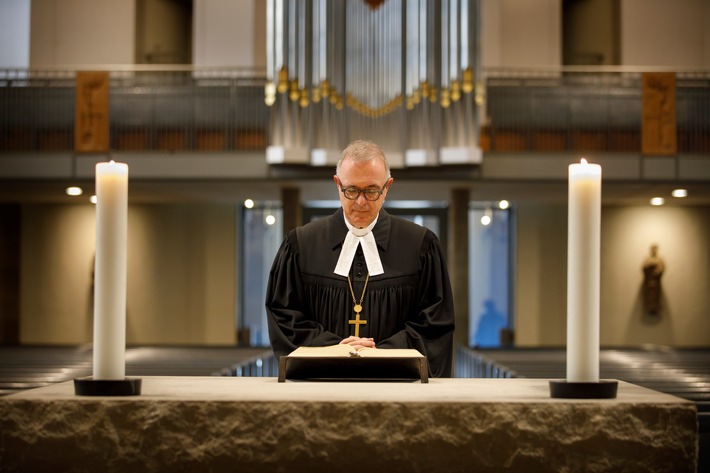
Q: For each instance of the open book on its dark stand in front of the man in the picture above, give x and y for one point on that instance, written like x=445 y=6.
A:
x=344 y=363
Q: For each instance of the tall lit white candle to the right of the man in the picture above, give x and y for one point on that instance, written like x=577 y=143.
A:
x=583 y=276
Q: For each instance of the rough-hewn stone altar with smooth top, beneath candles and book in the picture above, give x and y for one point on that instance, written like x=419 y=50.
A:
x=205 y=424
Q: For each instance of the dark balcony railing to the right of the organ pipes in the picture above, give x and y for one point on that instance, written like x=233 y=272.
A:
x=586 y=110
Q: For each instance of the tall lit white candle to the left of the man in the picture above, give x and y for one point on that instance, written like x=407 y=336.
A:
x=110 y=271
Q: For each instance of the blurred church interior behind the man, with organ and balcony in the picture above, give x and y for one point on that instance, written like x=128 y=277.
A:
x=231 y=117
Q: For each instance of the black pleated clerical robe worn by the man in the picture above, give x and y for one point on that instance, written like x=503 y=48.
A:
x=409 y=306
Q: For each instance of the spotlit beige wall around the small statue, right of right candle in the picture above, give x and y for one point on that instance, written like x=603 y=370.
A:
x=682 y=235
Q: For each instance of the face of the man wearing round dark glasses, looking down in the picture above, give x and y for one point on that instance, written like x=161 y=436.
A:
x=363 y=175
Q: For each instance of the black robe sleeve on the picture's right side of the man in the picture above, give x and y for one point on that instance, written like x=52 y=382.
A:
x=430 y=330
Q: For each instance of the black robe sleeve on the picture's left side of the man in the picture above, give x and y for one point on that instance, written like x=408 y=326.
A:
x=289 y=326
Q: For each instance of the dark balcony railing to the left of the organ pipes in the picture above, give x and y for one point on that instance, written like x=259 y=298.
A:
x=150 y=110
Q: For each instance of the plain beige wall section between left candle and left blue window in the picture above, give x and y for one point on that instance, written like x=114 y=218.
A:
x=181 y=279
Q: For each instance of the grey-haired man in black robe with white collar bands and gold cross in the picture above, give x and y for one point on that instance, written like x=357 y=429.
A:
x=362 y=259
